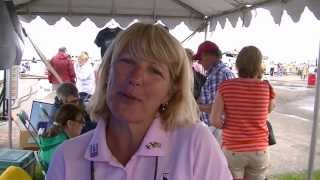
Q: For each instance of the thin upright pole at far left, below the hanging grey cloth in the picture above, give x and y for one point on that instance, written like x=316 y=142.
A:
x=8 y=100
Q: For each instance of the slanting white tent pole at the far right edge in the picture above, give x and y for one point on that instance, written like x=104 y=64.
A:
x=313 y=142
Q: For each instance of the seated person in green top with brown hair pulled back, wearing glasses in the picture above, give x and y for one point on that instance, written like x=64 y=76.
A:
x=68 y=123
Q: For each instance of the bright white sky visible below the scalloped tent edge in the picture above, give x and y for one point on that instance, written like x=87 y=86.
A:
x=285 y=43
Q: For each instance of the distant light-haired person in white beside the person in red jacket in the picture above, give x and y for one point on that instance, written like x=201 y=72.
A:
x=85 y=74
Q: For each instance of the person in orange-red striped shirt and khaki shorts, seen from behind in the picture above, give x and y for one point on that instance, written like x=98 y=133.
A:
x=245 y=103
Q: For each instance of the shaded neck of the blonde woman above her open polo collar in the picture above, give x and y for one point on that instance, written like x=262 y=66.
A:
x=124 y=139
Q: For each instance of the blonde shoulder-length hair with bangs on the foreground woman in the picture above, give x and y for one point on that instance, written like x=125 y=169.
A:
x=152 y=42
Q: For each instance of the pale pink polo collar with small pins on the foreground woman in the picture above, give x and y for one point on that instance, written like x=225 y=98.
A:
x=155 y=143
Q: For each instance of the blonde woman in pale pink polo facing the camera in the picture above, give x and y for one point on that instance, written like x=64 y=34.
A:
x=147 y=117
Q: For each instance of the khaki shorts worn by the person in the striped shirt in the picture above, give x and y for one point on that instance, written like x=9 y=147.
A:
x=252 y=165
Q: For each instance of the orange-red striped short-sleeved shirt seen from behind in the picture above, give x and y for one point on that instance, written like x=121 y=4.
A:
x=246 y=103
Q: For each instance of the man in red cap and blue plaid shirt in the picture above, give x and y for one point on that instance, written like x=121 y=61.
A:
x=209 y=56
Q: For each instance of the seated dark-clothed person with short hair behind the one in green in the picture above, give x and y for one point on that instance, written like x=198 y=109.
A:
x=68 y=93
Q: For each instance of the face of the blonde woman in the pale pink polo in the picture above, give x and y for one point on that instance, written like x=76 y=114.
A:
x=137 y=88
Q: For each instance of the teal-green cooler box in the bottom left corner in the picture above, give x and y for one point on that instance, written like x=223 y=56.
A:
x=20 y=158
